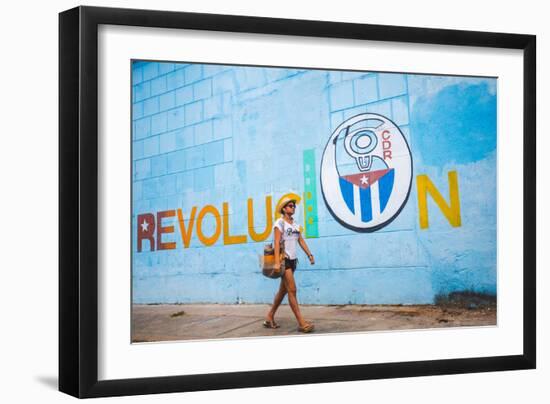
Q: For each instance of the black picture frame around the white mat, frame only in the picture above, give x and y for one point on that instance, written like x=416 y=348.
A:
x=78 y=201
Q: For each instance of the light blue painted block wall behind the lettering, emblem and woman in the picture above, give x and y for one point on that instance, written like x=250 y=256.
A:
x=206 y=134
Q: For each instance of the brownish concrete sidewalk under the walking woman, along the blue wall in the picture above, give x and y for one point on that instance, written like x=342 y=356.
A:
x=208 y=321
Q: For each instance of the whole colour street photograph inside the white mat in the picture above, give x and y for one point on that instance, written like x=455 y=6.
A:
x=391 y=178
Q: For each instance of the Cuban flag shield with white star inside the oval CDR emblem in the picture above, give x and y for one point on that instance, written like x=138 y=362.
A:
x=367 y=194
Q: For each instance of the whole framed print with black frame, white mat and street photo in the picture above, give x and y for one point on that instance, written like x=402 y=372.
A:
x=359 y=197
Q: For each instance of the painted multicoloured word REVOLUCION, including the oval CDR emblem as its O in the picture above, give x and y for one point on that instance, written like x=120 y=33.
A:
x=366 y=179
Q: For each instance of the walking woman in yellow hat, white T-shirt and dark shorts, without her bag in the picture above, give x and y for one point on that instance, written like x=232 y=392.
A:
x=288 y=231
